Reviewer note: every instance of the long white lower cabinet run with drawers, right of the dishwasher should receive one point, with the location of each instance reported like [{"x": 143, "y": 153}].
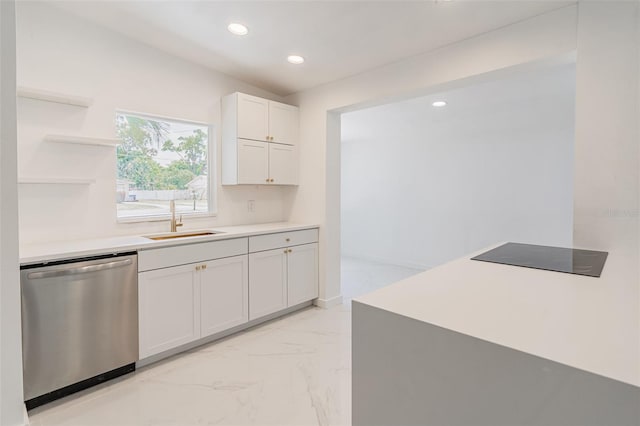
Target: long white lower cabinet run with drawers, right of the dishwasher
[{"x": 193, "y": 291}]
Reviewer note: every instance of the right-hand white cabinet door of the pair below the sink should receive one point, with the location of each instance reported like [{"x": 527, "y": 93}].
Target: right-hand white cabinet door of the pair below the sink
[{"x": 224, "y": 294}]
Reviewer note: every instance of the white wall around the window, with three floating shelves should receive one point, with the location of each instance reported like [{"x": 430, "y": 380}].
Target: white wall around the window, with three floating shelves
[{"x": 62, "y": 53}]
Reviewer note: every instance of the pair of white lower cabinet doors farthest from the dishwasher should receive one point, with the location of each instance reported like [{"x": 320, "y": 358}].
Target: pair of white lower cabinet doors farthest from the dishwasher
[{"x": 282, "y": 278}]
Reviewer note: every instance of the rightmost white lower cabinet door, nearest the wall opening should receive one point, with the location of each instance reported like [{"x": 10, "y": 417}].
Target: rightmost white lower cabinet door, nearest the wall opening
[{"x": 302, "y": 282}]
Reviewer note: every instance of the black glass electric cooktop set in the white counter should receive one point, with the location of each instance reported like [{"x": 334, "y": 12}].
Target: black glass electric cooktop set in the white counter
[{"x": 559, "y": 259}]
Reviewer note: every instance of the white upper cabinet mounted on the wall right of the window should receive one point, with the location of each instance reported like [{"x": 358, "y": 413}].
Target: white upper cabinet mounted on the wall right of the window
[{"x": 259, "y": 141}]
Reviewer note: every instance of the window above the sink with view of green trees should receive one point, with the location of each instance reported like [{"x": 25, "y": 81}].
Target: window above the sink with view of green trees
[{"x": 161, "y": 160}]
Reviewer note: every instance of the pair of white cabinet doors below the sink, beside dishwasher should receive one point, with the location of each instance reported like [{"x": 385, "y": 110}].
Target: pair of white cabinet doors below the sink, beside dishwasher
[{"x": 184, "y": 303}]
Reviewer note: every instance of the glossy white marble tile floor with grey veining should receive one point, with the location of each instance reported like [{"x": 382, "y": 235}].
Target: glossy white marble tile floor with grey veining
[{"x": 294, "y": 370}]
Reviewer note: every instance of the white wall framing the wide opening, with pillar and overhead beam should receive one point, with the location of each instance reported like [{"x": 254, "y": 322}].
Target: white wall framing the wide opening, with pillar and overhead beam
[{"x": 318, "y": 198}]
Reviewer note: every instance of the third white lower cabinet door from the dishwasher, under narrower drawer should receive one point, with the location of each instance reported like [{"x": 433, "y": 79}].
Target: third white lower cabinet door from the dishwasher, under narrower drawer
[{"x": 268, "y": 282}]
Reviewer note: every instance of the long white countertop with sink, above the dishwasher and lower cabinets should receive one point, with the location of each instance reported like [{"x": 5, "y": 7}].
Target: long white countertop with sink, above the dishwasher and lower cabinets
[{"x": 60, "y": 250}]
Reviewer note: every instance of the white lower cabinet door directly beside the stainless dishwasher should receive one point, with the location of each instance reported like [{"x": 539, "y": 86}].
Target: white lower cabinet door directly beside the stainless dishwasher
[{"x": 168, "y": 315}]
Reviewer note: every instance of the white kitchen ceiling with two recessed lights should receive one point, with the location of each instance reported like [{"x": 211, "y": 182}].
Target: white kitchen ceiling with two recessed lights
[{"x": 337, "y": 38}]
